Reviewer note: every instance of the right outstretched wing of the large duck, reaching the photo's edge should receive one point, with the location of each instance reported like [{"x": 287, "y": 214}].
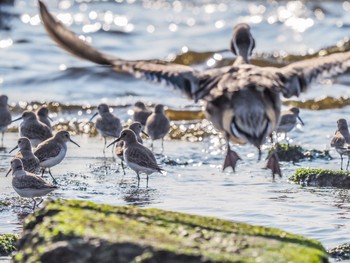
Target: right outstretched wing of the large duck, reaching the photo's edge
[{"x": 298, "y": 76}]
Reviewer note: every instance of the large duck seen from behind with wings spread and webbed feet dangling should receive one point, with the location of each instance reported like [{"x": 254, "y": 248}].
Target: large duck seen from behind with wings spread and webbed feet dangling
[{"x": 243, "y": 101}]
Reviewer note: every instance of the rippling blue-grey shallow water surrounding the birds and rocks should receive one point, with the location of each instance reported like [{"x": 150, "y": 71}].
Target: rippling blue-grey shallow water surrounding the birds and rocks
[{"x": 33, "y": 68}]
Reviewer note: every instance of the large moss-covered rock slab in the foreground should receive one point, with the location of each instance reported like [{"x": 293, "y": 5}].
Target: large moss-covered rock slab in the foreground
[{"x": 81, "y": 231}]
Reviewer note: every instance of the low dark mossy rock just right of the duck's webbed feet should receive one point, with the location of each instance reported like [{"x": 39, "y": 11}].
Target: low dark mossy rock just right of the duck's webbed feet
[{"x": 295, "y": 153}]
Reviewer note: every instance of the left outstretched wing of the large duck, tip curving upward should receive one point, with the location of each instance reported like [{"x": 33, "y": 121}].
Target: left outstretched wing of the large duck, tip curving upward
[{"x": 184, "y": 78}]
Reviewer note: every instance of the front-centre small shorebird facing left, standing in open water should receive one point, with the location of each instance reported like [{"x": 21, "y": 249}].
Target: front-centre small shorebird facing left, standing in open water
[{"x": 138, "y": 157}]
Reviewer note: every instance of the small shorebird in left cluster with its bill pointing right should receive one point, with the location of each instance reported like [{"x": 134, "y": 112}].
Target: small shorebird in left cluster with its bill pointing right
[{"x": 52, "y": 151}]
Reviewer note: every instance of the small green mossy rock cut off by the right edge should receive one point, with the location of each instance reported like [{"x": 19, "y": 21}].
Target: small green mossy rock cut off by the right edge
[{"x": 321, "y": 178}]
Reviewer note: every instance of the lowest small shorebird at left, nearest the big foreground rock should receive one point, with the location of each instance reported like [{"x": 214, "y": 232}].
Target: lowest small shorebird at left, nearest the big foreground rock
[{"x": 27, "y": 184}]
